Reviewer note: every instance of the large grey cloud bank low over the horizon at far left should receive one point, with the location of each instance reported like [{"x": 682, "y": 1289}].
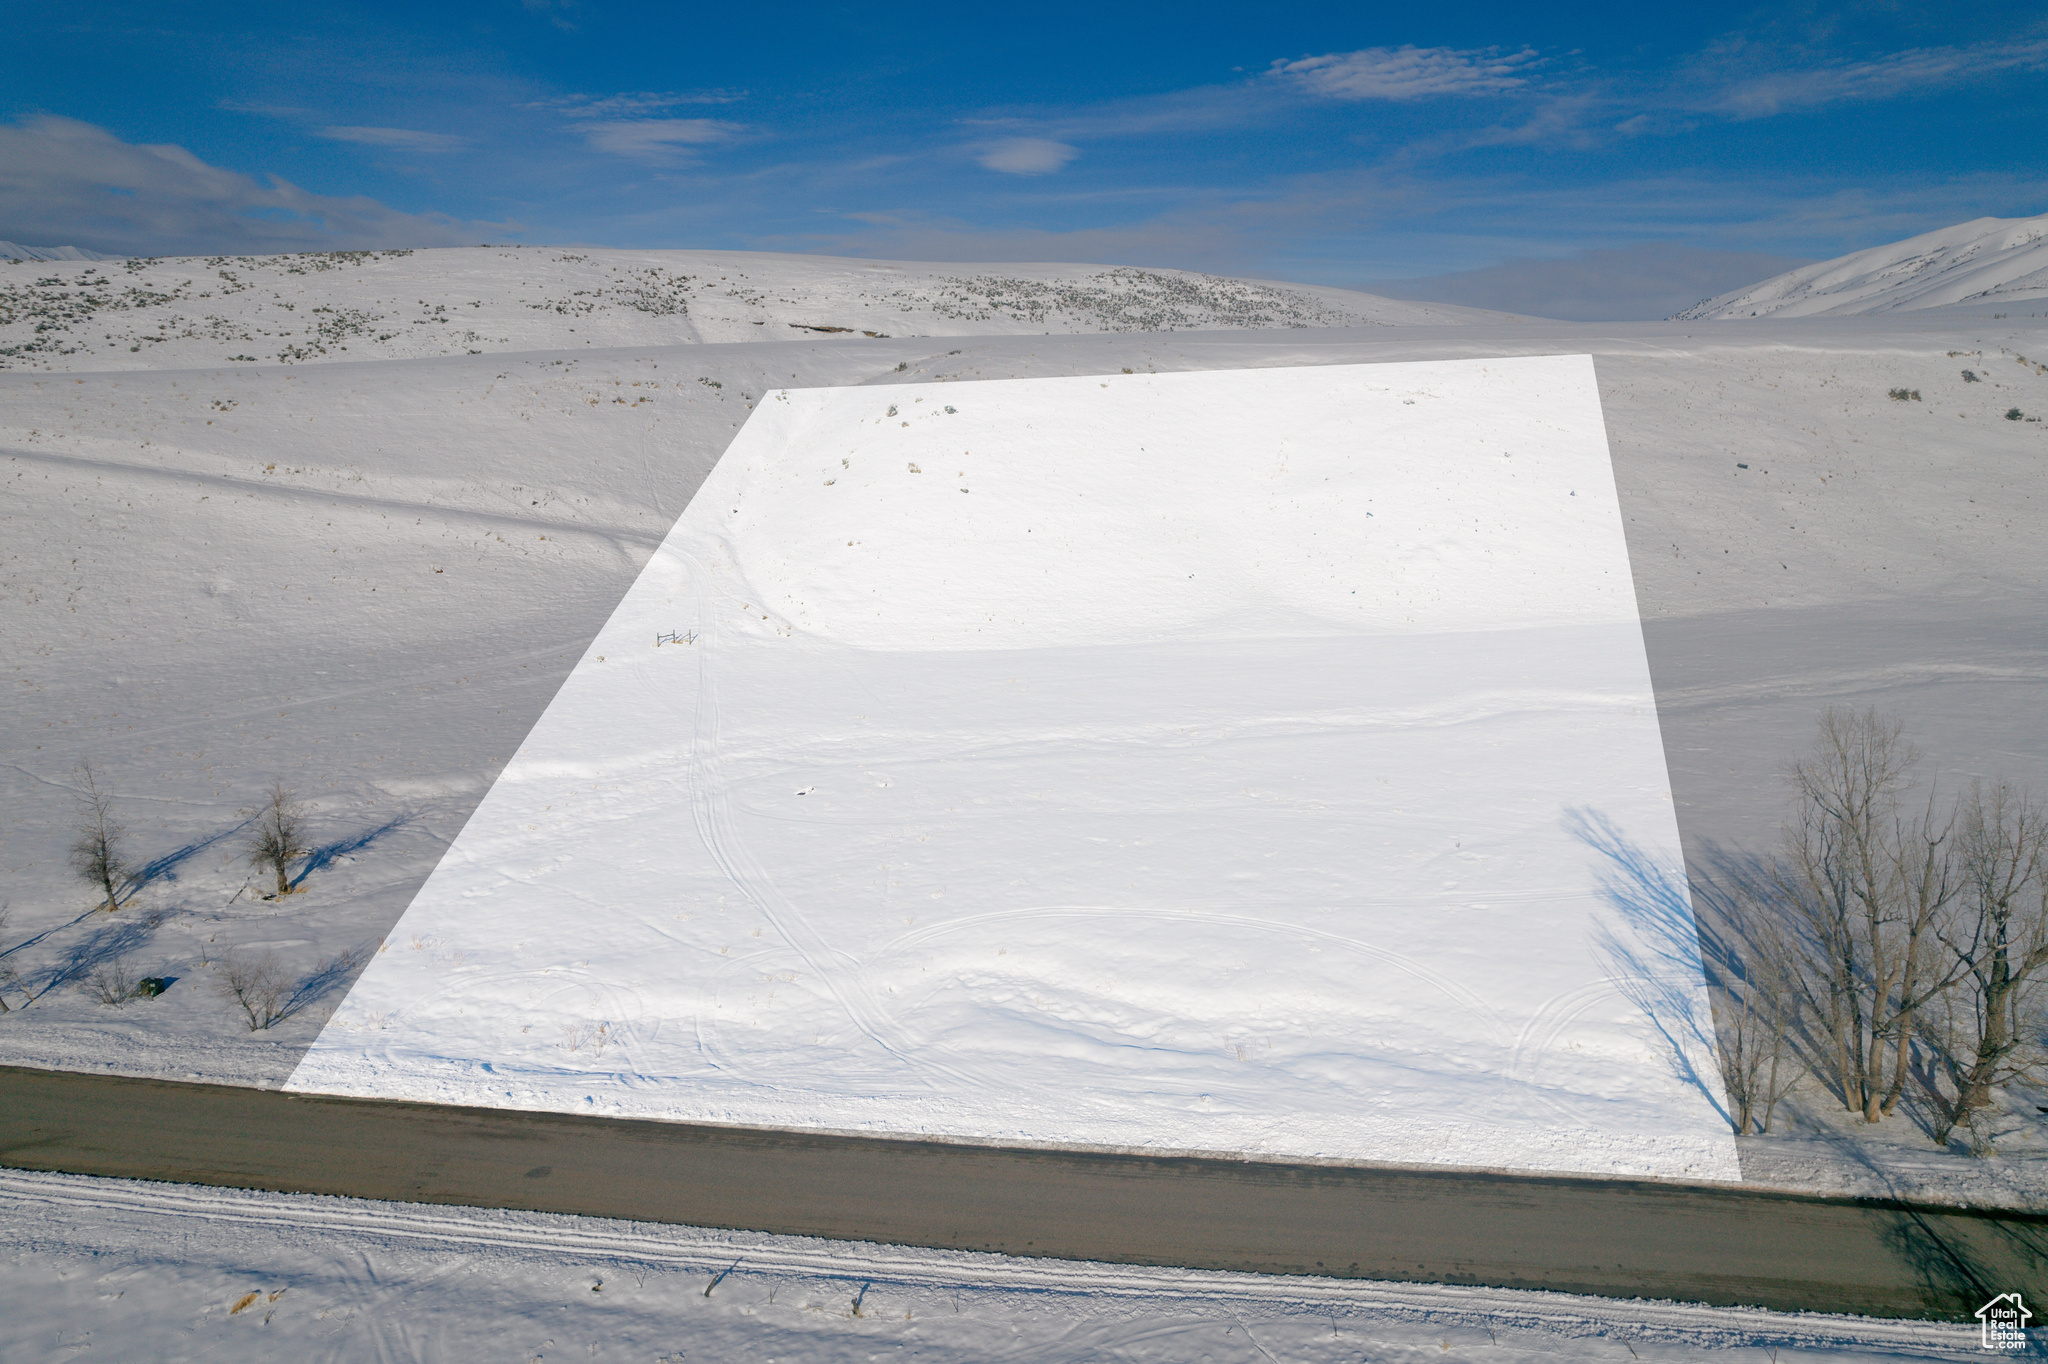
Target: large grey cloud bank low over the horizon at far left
[{"x": 75, "y": 183}]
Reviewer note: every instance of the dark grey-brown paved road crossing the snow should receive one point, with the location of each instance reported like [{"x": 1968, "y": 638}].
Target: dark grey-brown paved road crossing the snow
[{"x": 1572, "y": 1236}]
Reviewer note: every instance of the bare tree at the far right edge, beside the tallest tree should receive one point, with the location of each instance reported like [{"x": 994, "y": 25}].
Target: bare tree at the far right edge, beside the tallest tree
[{"x": 2000, "y": 937}]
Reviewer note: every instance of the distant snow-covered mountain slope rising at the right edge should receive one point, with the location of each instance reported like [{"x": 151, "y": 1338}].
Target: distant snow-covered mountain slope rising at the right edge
[{"x": 1981, "y": 263}]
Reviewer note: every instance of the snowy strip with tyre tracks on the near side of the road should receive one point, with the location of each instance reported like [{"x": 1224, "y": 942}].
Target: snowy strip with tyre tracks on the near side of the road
[{"x": 114, "y": 1269}]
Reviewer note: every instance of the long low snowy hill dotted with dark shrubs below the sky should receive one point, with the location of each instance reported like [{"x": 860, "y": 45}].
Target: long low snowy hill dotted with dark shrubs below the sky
[{"x": 378, "y": 306}]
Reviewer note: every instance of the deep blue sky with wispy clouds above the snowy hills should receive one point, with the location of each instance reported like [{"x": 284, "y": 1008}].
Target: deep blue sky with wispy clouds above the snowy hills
[{"x": 1641, "y": 151}]
